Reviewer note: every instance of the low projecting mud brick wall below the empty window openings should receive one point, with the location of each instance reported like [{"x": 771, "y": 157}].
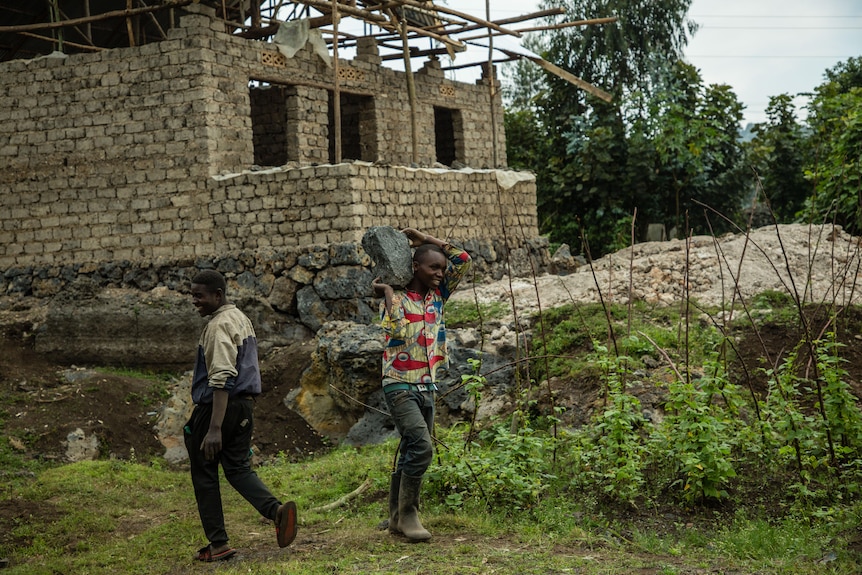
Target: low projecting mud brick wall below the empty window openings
[{"x": 288, "y": 207}]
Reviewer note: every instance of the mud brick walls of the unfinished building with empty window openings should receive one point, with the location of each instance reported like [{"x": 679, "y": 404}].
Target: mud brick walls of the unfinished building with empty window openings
[{"x": 145, "y": 153}]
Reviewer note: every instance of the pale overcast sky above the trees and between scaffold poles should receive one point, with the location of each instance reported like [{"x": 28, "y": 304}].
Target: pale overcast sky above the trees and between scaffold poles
[{"x": 761, "y": 48}]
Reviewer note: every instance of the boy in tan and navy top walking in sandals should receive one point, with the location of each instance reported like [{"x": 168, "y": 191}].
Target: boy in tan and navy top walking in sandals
[{"x": 225, "y": 382}]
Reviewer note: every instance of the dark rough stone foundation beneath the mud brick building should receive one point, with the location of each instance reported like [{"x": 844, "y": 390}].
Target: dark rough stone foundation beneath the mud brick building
[{"x": 288, "y": 293}]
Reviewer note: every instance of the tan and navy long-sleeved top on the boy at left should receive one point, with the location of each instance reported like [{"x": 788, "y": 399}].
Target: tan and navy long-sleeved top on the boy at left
[{"x": 227, "y": 356}]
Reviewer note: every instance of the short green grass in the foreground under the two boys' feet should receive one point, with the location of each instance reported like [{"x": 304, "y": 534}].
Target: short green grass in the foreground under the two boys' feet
[{"x": 109, "y": 516}]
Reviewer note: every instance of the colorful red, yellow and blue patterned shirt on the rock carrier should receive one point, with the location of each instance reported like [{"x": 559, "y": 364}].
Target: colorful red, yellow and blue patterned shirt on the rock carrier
[{"x": 415, "y": 331}]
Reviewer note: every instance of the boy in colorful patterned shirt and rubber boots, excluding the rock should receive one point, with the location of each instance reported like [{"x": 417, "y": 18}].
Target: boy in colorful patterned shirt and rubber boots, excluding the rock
[{"x": 415, "y": 349}]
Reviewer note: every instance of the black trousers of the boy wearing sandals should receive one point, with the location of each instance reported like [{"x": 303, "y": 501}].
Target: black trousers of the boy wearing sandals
[{"x": 235, "y": 459}]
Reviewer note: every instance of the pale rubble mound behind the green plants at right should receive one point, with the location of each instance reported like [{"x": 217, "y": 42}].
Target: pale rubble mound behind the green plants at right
[{"x": 820, "y": 263}]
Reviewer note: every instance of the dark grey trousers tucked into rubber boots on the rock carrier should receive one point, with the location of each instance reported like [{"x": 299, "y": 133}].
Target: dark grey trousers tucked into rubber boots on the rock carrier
[{"x": 413, "y": 413}]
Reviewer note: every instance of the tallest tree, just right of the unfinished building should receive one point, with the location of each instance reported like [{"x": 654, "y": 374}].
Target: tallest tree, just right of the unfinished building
[{"x": 584, "y": 170}]
